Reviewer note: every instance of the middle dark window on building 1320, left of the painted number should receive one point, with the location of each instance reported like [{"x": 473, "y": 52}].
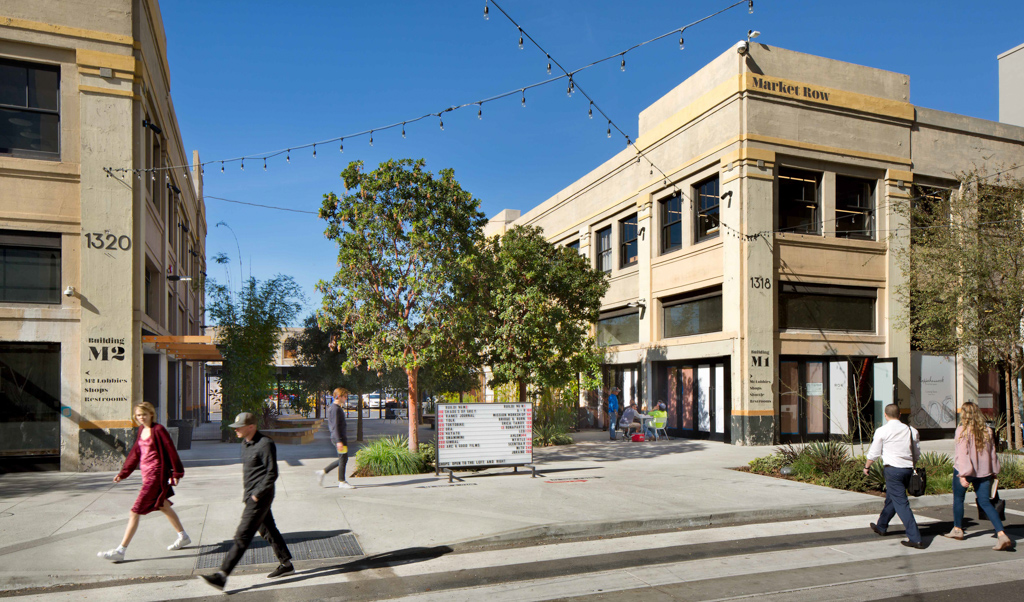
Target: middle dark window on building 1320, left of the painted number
[{"x": 30, "y": 268}]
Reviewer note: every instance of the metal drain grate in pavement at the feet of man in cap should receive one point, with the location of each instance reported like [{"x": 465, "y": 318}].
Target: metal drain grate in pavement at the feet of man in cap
[{"x": 303, "y": 547}]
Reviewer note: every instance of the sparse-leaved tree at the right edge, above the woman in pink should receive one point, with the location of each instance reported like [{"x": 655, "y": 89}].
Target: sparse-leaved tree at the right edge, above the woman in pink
[{"x": 965, "y": 275}]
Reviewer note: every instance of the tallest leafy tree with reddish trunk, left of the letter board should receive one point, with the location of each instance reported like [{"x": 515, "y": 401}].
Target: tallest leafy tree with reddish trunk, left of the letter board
[{"x": 403, "y": 294}]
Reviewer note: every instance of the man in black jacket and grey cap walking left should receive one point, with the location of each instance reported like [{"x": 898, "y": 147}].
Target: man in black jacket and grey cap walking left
[{"x": 260, "y": 465}]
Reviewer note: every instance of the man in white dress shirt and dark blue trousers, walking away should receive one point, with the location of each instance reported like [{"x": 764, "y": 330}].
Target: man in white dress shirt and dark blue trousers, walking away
[{"x": 900, "y": 447}]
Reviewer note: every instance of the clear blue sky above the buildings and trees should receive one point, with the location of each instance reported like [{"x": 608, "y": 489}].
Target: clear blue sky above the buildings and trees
[{"x": 254, "y": 76}]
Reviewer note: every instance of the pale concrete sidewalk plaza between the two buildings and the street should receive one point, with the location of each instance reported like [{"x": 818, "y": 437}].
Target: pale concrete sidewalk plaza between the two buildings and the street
[{"x": 53, "y": 525}]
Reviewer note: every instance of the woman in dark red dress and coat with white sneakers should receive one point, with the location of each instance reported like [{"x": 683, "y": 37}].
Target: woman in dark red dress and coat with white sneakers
[{"x": 155, "y": 455}]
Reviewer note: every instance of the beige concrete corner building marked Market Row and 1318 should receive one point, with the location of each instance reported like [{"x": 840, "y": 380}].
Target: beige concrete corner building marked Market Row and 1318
[{"x": 753, "y": 284}]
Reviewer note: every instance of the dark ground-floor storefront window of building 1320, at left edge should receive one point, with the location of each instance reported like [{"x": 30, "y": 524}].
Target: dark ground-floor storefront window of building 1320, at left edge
[{"x": 30, "y": 400}]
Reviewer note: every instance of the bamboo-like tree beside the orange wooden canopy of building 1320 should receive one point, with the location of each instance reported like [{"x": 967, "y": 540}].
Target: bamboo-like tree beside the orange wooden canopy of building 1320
[{"x": 249, "y": 327}]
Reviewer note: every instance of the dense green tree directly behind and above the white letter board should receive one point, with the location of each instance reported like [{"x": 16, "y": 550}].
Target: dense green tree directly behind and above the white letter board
[{"x": 541, "y": 305}]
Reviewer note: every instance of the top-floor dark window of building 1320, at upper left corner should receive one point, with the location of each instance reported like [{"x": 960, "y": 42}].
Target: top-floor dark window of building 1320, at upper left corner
[{"x": 30, "y": 110}]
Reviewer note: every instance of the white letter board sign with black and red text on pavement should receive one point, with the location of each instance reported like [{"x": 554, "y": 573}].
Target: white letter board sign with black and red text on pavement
[{"x": 485, "y": 435}]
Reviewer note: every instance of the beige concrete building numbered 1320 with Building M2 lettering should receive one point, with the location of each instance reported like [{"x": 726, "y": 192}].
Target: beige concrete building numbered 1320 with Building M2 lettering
[{"x": 93, "y": 262}]
